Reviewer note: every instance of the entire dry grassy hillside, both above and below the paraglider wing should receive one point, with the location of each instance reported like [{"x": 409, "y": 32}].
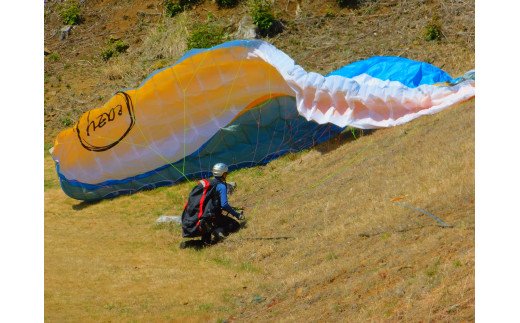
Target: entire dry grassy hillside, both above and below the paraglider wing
[{"x": 333, "y": 232}]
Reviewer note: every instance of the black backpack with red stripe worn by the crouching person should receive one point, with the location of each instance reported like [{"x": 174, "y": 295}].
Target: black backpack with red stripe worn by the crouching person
[{"x": 203, "y": 205}]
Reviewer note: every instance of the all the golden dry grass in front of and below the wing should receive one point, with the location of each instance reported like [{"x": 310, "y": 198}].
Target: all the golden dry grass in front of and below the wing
[{"x": 323, "y": 239}]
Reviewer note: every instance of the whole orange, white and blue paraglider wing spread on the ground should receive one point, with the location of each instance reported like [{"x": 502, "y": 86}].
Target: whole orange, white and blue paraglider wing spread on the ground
[{"x": 242, "y": 103}]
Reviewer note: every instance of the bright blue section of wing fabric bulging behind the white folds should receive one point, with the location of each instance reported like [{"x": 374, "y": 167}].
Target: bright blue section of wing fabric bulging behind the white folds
[{"x": 409, "y": 72}]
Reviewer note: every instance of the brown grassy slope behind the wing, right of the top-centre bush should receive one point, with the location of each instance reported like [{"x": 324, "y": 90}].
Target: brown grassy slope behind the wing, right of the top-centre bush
[{"x": 333, "y": 38}]
